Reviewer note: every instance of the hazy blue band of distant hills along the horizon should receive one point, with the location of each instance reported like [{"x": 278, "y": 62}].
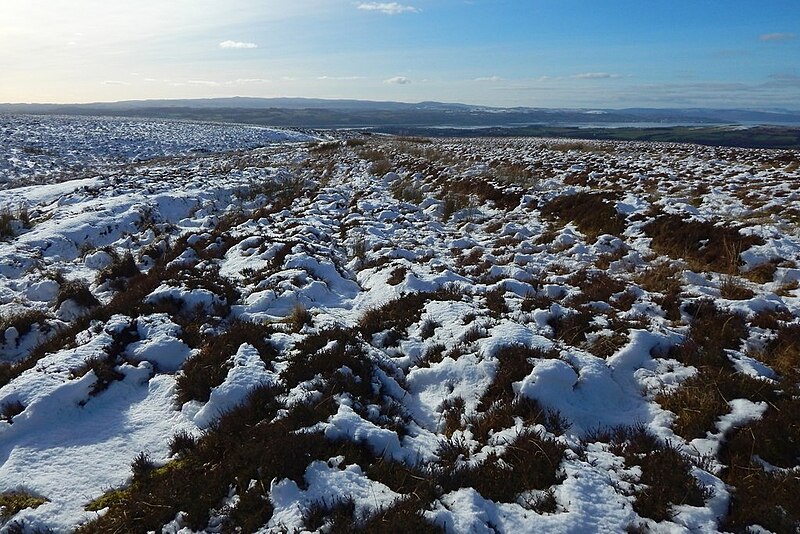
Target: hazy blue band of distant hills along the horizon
[{"x": 322, "y": 113}]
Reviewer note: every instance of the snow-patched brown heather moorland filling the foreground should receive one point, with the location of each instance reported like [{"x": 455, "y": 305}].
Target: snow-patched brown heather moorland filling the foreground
[{"x": 468, "y": 336}]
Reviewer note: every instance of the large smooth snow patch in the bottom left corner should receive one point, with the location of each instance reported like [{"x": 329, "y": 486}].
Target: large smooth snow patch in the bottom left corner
[{"x": 72, "y": 453}]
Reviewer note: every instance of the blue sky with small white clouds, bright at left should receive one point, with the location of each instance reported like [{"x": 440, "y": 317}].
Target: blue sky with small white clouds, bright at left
[{"x": 536, "y": 53}]
